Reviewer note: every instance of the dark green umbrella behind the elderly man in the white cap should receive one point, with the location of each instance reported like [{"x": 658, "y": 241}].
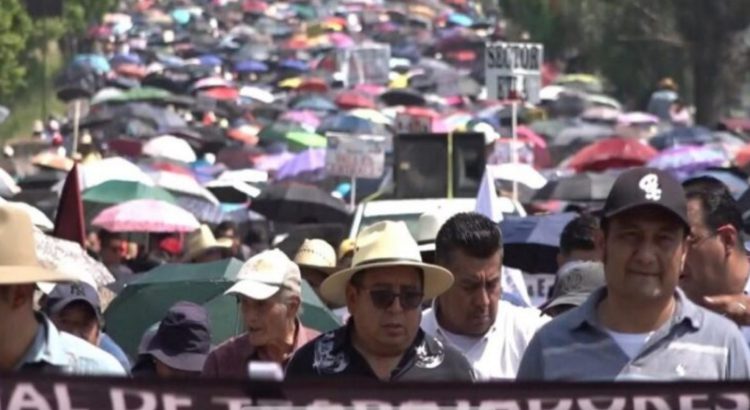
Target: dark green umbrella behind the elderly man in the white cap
[{"x": 146, "y": 300}]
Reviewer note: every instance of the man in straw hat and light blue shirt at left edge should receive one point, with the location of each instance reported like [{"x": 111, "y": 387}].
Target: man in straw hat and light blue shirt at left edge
[{"x": 29, "y": 341}]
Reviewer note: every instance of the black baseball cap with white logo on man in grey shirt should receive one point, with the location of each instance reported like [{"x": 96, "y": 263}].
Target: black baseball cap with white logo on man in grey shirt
[{"x": 645, "y": 186}]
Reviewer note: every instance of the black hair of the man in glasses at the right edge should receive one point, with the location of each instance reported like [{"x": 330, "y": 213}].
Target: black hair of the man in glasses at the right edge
[{"x": 718, "y": 205}]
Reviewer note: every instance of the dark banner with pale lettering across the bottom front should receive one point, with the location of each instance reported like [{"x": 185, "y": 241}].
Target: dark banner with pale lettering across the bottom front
[{"x": 51, "y": 392}]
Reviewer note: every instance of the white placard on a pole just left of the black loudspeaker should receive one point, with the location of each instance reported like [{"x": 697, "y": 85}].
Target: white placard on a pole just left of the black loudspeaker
[{"x": 357, "y": 156}]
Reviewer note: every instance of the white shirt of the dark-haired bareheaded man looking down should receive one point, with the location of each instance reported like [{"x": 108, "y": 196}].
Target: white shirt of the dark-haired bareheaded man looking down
[{"x": 497, "y": 354}]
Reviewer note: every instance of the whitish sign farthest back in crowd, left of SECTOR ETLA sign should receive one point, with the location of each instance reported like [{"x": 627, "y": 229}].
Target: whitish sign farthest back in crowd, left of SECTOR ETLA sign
[{"x": 368, "y": 63}]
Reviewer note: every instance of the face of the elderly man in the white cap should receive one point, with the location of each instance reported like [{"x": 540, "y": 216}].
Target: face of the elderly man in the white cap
[{"x": 266, "y": 321}]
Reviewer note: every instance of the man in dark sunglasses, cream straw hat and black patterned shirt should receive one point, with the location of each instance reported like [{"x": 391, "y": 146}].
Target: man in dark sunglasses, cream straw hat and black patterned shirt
[{"x": 383, "y": 290}]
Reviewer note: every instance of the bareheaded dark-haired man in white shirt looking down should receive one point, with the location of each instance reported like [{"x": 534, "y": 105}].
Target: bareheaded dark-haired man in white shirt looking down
[{"x": 491, "y": 333}]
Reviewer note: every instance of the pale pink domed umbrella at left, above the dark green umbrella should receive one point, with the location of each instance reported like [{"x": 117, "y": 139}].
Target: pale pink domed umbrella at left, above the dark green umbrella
[{"x": 146, "y": 215}]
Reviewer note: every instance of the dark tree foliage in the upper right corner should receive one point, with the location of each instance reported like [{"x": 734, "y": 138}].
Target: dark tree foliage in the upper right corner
[{"x": 701, "y": 43}]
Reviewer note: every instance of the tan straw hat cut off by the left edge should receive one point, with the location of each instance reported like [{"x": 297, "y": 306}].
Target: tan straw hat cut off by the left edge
[{"x": 18, "y": 263}]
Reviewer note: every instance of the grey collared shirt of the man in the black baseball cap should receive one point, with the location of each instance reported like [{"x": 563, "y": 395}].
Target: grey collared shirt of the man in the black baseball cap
[{"x": 694, "y": 344}]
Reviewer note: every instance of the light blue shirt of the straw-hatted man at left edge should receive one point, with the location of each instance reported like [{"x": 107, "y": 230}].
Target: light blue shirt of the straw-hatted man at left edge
[{"x": 55, "y": 351}]
